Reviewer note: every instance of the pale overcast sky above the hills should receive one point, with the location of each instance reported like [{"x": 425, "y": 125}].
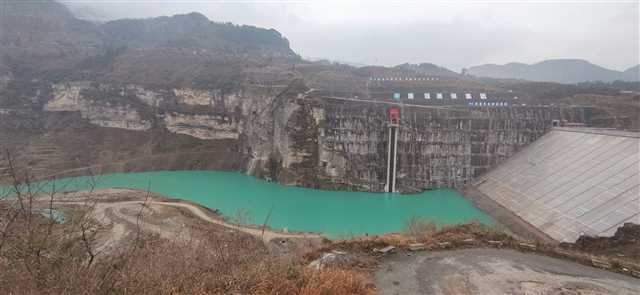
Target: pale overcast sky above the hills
[{"x": 454, "y": 34}]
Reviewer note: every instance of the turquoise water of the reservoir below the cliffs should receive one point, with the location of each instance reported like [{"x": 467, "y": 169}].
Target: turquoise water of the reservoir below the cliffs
[{"x": 335, "y": 214}]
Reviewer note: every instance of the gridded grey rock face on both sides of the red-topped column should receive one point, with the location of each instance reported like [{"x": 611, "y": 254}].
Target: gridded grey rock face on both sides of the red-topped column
[{"x": 435, "y": 148}]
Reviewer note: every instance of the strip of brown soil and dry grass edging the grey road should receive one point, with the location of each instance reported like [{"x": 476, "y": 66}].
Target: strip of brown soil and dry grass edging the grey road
[{"x": 469, "y": 236}]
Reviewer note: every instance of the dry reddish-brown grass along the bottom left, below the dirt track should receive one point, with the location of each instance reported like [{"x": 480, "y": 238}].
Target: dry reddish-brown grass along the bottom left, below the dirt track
[{"x": 211, "y": 263}]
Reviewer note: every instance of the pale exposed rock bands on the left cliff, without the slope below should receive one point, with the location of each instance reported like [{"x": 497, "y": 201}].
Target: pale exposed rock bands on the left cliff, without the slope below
[{"x": 199, "y": 113}]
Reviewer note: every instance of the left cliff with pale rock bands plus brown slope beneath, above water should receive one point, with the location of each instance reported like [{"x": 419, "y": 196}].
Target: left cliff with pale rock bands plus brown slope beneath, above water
[{"x": 122, "y": 128}]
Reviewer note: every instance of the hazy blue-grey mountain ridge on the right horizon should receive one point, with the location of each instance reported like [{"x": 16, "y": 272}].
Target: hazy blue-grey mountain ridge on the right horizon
[{"x": 556, "y": 70}]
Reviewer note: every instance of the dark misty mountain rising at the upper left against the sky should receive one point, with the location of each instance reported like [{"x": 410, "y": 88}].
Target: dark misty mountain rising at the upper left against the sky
[{"x": 44, "y": 40}]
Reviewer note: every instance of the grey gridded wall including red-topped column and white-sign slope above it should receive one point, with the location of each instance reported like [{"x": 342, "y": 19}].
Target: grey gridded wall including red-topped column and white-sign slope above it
[{"x": 446, "y": 136}]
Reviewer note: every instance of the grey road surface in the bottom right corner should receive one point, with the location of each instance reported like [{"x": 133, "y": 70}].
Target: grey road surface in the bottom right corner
[{"x": 492, "y": 271}]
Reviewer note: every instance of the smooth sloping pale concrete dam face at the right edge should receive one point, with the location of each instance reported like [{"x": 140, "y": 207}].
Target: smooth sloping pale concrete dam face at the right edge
[{"x": 571, "y": 182}]
